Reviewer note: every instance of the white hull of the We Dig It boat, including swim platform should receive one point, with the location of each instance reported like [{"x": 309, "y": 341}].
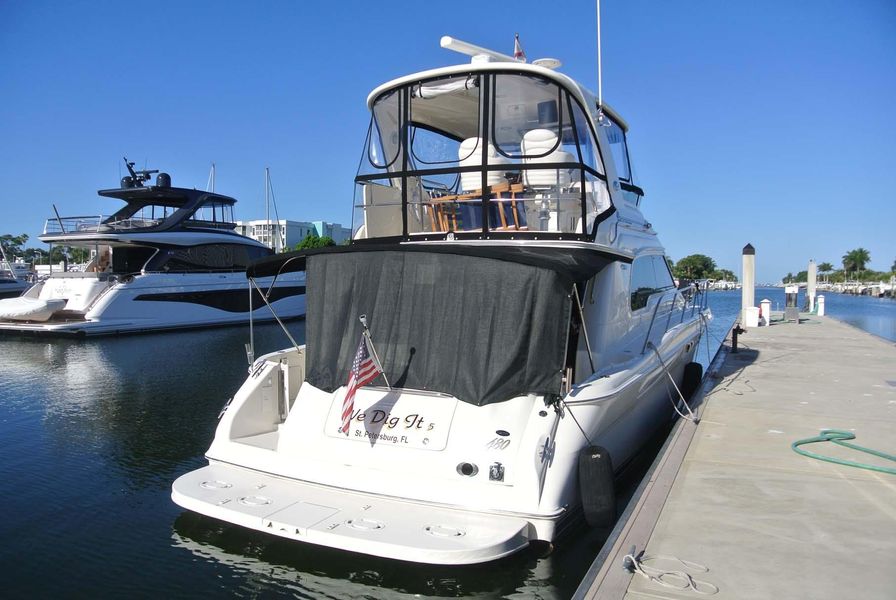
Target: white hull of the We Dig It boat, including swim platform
[{"x": 402, "y": 484}]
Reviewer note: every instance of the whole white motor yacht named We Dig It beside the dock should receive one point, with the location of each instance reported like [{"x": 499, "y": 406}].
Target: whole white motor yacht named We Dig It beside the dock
[{"x": 530, "y": 336}]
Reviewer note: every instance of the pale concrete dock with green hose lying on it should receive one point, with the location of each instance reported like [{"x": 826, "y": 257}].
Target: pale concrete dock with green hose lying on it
[{"x": 731, "y": 495}]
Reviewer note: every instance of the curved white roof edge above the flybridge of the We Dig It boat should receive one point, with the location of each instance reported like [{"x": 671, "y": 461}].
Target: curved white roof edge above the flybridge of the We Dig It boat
[{"x": 583, "y": 94}]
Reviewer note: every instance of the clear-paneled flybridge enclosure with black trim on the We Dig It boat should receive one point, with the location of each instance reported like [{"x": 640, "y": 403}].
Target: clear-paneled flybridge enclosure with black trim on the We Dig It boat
[{"x": 493, "y": 154}]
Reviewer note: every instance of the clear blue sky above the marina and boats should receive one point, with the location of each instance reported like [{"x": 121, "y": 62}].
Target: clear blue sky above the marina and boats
[{"x": 766, "y": 122}]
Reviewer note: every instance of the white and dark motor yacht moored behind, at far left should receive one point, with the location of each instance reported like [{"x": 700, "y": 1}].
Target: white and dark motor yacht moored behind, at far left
[{"x": 168, "y": 259}]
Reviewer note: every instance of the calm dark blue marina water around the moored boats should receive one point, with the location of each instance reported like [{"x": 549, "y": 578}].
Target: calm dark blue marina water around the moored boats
[{"x": 93, "y": 432}]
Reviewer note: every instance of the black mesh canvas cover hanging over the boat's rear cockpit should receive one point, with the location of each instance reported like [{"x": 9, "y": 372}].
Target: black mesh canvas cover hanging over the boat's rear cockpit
[{"x": 480, "y": 329}]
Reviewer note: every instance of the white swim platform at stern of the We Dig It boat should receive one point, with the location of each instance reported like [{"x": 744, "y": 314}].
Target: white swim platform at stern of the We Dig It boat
[{"x": 351, "y": 521}]
